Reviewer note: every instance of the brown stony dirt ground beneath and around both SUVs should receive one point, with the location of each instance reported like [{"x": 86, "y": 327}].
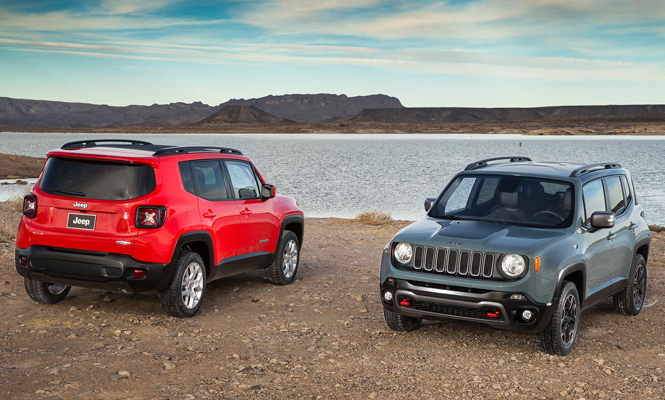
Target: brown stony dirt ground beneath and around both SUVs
[{"x": 322, "y": 337}]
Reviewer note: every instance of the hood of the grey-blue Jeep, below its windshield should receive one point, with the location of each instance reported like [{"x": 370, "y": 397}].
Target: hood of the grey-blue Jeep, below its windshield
[{"x": 476, "y": 235}]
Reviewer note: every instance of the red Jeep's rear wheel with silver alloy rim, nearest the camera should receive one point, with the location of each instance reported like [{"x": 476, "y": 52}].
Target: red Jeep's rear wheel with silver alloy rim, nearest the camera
[{"x": 183, "y": 296}]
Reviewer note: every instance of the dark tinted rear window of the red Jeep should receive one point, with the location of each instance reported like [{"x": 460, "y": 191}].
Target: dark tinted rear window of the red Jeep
[{"x": 97, "y": 179}]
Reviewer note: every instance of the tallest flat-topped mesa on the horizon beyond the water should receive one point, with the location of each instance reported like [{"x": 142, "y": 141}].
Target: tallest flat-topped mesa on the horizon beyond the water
[{"x": 317, "y": 107}]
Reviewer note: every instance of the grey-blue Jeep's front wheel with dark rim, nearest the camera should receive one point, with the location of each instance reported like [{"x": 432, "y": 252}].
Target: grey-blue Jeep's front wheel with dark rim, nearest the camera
[{"x": 561, "y": 332}]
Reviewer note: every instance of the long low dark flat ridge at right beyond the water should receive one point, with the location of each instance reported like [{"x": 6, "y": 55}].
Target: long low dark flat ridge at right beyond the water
[{"x": 636, "y": 113}]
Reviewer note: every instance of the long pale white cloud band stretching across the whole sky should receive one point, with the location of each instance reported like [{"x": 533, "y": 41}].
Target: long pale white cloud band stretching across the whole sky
[{"x": 449, "y": 62}]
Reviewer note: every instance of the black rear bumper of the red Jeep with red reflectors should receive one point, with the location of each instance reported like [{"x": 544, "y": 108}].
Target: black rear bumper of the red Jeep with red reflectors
[{"x": 90, "y": 269}]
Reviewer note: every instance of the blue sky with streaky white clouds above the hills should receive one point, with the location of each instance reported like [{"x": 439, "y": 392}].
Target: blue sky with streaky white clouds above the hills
[{"x": 477, "y": 53}]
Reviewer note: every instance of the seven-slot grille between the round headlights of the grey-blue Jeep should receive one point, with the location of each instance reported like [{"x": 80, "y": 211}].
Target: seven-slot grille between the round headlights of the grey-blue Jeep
[{"x": 454, "y": 262}]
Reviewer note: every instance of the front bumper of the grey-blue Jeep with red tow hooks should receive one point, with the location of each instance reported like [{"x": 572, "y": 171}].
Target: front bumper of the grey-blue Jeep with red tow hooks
[{"x": 440, "y": 302}]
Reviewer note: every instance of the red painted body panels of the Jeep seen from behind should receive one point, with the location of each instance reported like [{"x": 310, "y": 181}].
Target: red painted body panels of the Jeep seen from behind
[{"x": 236, "y": 226}]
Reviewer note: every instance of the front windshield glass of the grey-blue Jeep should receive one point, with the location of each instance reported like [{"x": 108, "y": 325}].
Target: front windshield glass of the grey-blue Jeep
[{"x": 519, "y": 200}]
